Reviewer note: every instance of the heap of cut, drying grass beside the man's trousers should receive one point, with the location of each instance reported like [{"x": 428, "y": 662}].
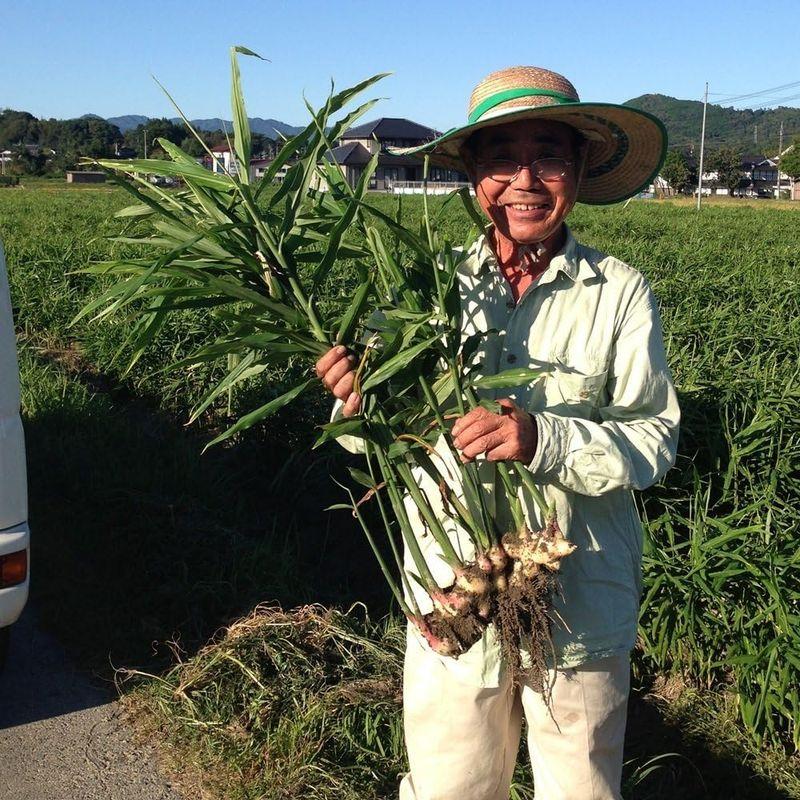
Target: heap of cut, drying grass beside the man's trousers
[{"x": 288, "y": 705}]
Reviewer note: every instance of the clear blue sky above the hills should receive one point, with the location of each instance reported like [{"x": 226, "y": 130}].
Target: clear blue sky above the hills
[{"x": 63, "y": 59}]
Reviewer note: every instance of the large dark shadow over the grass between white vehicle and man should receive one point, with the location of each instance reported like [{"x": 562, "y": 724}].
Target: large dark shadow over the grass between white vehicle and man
[{"x": 138, "y": 538}]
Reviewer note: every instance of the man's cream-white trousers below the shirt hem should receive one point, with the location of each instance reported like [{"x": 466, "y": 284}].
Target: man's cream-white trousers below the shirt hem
[{"x": 463, "y": 740}]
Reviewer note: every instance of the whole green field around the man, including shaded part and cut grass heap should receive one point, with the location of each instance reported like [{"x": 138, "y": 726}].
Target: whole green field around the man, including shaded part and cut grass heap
[{"x": 137, "y": 538}]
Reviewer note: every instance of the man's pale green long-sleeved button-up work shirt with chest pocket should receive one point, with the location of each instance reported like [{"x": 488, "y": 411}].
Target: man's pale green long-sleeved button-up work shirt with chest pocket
[{"x": 607, "y": 418}]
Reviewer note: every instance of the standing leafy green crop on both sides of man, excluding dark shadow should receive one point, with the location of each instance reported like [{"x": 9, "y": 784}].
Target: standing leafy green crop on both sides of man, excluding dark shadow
[{"x": 721, "y": 592}]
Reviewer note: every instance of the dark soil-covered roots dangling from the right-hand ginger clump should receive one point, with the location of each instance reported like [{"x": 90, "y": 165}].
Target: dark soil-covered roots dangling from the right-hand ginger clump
[{"x": 522, "y": 620}]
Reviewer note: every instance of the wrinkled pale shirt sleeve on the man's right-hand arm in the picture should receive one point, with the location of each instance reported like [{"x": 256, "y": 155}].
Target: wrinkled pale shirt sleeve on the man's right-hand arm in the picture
[{"x": 634, "y": 442}]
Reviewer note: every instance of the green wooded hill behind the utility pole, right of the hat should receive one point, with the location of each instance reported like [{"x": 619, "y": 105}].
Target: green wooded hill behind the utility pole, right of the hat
[{"x": 725, "y": 127}]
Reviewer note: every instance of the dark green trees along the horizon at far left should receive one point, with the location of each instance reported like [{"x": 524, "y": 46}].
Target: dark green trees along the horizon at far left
[{"x": 52, "y": 146}]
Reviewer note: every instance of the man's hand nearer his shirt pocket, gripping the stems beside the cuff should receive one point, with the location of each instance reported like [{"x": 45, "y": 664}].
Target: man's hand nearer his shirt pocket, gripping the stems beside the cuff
[{"x": 509, "y": 436}]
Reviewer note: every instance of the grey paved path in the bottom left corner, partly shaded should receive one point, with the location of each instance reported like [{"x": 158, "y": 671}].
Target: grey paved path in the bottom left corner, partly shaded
[{"x": 61, "y": 735}]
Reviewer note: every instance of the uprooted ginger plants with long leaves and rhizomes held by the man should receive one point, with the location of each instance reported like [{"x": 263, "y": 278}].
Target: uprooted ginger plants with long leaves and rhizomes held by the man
[{"x": 257, "y": 263}]
